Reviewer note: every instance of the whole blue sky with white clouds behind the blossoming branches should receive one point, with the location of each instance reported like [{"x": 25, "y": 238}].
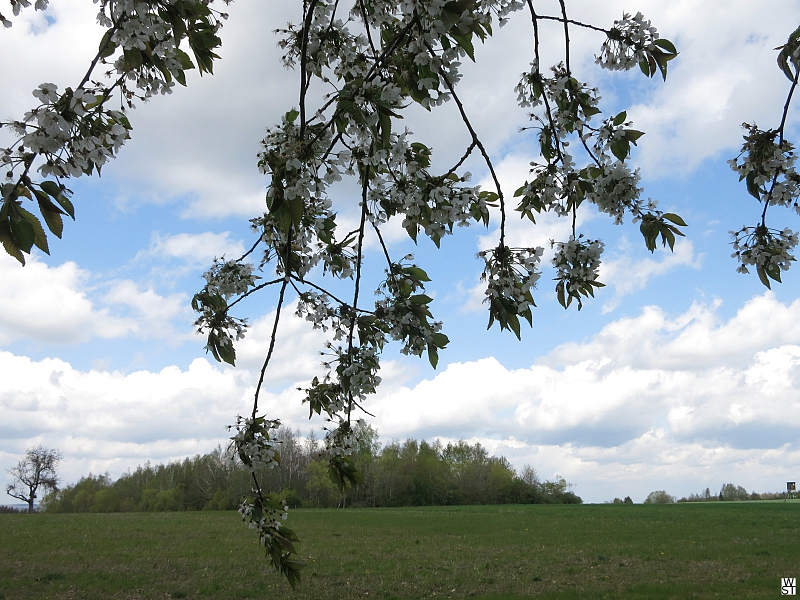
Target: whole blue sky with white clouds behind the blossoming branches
[{"x": 681, "y": 374}]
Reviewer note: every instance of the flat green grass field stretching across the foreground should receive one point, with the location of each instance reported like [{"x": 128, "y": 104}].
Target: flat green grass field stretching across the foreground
[{"x": 499, "y": 552}]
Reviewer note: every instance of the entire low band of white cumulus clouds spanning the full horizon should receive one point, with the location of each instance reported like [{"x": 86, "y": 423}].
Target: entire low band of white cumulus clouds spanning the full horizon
[{"x": 649, "y": 400}]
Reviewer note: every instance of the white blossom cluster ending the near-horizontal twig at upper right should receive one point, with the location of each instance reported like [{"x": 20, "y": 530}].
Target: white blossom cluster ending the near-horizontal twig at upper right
[{"x": 627, "y": 43}]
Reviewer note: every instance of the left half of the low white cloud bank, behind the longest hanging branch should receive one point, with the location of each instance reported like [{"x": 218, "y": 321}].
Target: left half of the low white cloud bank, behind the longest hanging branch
[{"x": 105, "y": 420}]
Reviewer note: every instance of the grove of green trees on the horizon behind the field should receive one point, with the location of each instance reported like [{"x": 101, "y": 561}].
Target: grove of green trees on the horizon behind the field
[{"x": 411, "y": 473}]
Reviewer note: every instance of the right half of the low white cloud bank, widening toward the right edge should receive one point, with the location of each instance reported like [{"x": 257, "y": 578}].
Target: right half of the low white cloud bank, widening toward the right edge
[{"x": 688, "y": 396}]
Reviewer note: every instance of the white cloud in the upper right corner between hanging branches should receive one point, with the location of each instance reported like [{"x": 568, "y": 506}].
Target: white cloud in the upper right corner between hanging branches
[{"x": 718, "y": 82}]
